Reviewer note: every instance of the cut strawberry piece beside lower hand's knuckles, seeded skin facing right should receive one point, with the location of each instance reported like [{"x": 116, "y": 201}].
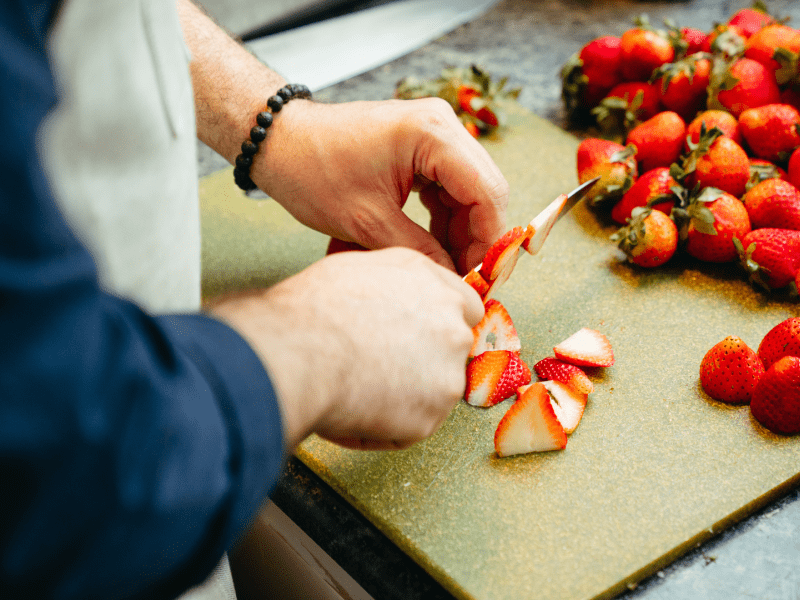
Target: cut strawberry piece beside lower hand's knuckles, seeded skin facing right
[{"x": 494, "y": 376}]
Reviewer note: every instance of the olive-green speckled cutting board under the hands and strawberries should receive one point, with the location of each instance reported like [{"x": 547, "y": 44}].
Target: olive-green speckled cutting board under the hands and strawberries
[{"x": 654, "y": 468}]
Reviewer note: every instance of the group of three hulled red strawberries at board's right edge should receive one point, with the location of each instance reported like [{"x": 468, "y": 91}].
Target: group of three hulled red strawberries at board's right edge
[{"x": 767, "y": 379}]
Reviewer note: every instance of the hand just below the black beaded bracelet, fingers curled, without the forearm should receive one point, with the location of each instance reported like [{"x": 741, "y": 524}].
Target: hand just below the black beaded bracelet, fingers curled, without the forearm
[{"x": 346, "y": 170}]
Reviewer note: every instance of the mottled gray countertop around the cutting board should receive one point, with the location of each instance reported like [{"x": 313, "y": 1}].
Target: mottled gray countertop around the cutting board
[{"x": 529, "y": 41}]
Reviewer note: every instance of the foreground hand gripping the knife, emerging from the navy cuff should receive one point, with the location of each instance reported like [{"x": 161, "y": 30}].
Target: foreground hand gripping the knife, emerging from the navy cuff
[{"x": 367, "y": 349}]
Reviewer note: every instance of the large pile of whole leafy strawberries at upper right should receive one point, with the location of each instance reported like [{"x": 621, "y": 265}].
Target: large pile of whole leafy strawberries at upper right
[{"x": 698, "y": 143}]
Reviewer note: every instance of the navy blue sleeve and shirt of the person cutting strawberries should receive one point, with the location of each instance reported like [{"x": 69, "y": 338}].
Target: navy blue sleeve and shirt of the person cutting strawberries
[{"x": 133, "y": 449}]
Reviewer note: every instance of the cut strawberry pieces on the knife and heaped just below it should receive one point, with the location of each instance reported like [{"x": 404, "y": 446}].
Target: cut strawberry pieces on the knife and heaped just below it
[{"x": 546, "y": 411}]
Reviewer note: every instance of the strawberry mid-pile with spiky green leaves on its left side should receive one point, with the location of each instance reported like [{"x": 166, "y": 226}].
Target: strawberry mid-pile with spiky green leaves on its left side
[{"x": 715, "y": 161}]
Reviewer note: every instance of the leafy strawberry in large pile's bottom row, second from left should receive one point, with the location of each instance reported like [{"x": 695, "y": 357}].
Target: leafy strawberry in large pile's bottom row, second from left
[{"x": 709, "y": 222}]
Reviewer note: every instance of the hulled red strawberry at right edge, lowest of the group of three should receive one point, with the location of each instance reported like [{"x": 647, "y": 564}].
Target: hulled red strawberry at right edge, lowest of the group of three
[{"x": 776, "y": 399}]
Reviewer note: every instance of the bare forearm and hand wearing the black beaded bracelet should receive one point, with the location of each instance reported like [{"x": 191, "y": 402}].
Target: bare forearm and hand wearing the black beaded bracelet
[{"x": 347, "y": 169}]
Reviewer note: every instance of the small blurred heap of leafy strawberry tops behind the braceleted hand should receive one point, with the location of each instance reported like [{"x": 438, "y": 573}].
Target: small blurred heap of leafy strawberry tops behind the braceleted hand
[{"x": 477, "y": 100}]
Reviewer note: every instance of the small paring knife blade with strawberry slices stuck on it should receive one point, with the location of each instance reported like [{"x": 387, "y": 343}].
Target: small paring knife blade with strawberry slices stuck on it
[{"x": 532, "y": 241}]
